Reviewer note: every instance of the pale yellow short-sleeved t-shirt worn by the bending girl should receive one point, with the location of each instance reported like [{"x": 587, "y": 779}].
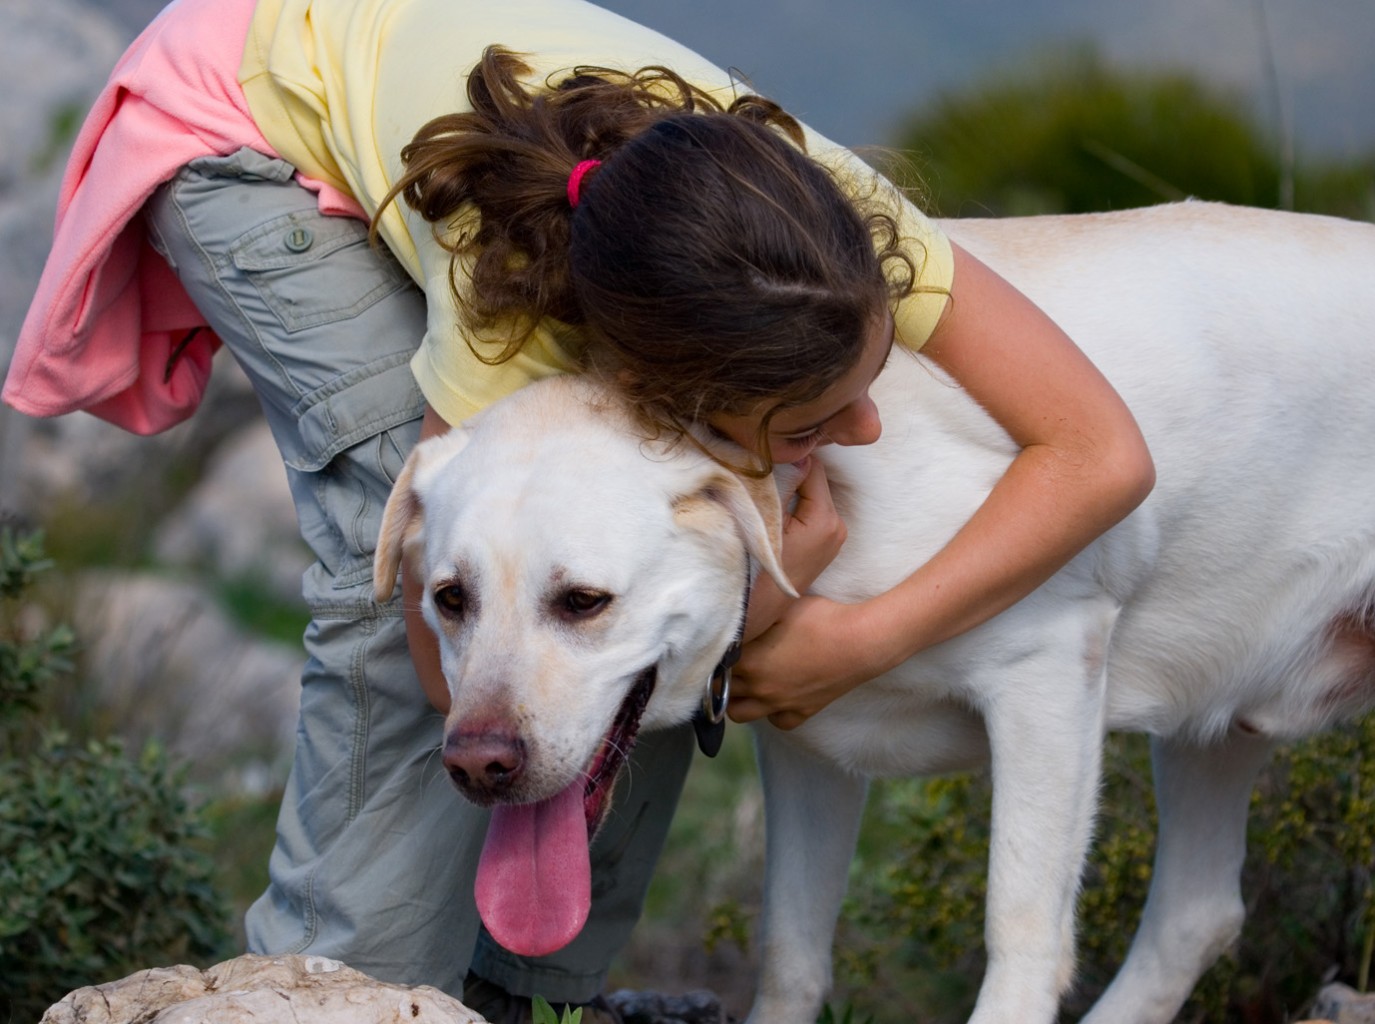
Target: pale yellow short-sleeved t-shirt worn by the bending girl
[{"x": 339, "y": 87}]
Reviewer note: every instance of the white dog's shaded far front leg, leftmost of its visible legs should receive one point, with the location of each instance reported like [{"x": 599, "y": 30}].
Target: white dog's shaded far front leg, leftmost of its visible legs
[{"x": 812, "y": 817}]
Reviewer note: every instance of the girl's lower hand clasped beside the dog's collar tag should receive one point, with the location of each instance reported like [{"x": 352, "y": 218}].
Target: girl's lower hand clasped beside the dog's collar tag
[{"x": 819, "y": 651}]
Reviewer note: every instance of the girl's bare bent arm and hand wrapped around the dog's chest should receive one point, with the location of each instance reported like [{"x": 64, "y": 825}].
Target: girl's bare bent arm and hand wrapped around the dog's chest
[{"x": 1083, "y": 468}]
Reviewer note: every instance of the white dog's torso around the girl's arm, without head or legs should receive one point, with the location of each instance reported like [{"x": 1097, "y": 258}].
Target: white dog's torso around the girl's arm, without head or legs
[{"x": 1252, "y": 567}]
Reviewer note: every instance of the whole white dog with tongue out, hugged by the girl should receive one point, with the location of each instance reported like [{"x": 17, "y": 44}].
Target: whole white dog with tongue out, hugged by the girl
[{"x": 585, "y": 583}]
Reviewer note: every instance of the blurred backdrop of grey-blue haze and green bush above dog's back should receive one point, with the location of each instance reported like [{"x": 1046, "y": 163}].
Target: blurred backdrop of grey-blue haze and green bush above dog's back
[{"x": 1244, "y": 101}]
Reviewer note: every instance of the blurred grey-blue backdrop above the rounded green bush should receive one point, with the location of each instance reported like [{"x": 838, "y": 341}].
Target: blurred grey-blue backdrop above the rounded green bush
[{"x": 855, "y": 68}]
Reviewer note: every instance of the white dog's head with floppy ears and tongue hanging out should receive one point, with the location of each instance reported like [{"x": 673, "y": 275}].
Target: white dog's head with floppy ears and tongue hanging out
[{"x": 584, "y": 583}]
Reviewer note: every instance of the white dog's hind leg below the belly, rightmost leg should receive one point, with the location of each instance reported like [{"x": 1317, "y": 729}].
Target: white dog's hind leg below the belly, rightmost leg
[{"x": 1196, "y": 909}]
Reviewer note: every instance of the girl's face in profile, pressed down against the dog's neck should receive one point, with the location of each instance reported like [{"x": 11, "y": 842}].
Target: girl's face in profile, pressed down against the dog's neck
[{"x": 842, "y": 414}]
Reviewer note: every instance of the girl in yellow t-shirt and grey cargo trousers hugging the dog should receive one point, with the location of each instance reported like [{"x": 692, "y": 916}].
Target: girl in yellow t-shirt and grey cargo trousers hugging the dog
[{"x": 717, "y": 262}]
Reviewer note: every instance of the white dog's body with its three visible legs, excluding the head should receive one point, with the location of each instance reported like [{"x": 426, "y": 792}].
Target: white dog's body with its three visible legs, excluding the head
[{"x": 1233, "y": 610}]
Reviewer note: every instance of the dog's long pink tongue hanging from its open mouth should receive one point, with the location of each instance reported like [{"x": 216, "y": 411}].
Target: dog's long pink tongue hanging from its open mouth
[{"x": 534, "y": 879}]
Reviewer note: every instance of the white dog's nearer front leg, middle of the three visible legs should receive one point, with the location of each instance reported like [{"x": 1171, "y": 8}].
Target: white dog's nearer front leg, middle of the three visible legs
[{"x": 1046, "y": 736}]
